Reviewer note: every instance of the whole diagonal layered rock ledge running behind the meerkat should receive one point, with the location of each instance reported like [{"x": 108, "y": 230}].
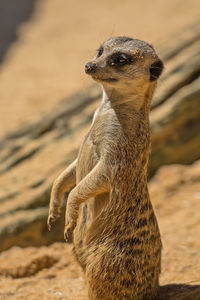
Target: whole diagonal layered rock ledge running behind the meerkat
[{"x": 33, "y": 155}]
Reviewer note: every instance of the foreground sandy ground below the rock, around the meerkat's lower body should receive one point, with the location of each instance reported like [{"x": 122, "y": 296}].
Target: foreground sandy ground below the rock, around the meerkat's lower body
[{"x": 52, "y": 273}]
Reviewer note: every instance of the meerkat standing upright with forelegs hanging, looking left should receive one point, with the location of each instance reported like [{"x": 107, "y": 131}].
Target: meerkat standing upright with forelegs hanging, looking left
[{"x": 109, "y": 213}]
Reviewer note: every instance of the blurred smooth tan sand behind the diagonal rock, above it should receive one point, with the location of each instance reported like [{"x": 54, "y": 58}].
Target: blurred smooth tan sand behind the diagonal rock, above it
[{"x": 47, "y": 61}]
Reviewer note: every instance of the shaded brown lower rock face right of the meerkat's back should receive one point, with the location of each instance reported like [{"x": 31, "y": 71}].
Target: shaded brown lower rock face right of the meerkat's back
[{"x": 175, "y": 128}]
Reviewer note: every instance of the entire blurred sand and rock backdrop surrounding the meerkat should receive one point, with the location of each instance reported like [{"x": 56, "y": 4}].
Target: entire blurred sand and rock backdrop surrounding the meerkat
[{"x": 47, "y": 103}]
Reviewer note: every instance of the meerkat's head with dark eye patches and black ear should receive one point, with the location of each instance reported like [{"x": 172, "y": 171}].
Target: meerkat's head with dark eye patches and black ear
[{"x": 123, "y": 62}]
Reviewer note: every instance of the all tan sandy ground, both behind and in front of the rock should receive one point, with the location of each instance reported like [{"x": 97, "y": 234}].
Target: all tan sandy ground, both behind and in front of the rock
[{"x": 46, "y": 64}]
